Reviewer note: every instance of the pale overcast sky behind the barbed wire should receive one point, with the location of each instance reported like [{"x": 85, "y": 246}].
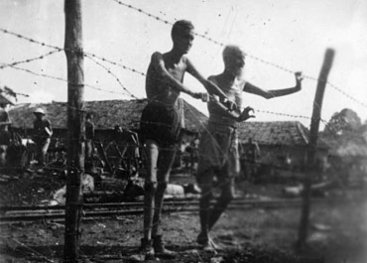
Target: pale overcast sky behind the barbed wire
[{"x": 293, "y": 34}]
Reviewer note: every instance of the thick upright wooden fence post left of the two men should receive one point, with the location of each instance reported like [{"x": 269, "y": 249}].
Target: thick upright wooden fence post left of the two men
[{"x": 75, "y": 123}]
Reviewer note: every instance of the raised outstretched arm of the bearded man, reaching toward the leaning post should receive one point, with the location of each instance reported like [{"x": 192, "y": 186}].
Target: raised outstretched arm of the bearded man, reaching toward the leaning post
[{"x": 268, "y": 94}]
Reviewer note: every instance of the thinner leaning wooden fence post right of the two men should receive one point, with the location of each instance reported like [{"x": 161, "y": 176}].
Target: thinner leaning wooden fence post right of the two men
[{"x": 312, "y": 146}]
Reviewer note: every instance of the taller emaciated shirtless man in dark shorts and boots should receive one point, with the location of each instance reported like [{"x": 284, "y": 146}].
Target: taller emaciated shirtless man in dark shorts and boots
[{"x": 160, "y": 127}]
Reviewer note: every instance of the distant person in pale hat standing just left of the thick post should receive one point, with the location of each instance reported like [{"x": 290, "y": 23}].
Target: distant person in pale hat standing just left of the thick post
[{"x": 42, "y": 136}]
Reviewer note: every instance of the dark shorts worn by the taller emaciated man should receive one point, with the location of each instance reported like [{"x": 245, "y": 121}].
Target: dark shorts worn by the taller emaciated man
[{"x": 160, "y": 123}]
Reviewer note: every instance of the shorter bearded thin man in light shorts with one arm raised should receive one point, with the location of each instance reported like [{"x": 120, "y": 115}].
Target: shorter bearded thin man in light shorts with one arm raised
[{"x": 218, "y": 149}]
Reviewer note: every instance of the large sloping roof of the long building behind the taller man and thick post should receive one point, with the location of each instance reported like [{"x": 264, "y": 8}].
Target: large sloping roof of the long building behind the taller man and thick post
[{"x": 107, "y": 114}]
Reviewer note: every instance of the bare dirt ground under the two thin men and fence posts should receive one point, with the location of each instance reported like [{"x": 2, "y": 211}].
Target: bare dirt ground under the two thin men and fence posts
[{"x": 338, "y": 233}]
